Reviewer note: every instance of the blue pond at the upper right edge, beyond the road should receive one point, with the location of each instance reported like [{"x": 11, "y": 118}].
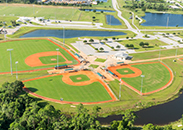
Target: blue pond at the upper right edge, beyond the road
[{"x": 160, "y": 19}]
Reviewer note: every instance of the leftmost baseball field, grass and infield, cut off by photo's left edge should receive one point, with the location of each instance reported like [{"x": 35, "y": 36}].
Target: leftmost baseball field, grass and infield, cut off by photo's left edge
[{"x": 24, "y": 49}]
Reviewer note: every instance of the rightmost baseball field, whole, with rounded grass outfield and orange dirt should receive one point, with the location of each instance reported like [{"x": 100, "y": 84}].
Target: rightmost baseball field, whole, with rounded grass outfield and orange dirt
[{"x": 144, "y": 78}]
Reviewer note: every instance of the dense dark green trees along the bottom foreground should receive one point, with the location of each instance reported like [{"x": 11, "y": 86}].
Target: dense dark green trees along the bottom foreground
[{"x": 19, "y": 111}]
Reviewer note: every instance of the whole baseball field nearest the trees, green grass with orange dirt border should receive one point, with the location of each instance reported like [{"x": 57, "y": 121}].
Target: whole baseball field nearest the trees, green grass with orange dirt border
[{"x": 72, "y": 87}]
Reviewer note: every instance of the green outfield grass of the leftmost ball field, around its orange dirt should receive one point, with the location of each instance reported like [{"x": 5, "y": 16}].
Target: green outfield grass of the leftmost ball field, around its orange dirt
[{"x": 23, "y": 49}]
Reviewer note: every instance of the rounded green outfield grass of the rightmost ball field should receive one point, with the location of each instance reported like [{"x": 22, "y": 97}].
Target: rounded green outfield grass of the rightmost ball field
[{"x": 156, "y": 76}]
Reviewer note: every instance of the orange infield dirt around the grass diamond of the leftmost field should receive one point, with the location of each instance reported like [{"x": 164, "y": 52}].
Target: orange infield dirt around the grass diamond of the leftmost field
[{"x": 34, "y": 61}]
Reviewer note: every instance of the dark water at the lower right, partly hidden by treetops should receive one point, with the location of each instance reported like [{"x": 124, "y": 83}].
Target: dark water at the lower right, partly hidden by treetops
[{"x": 159, "y": 115}]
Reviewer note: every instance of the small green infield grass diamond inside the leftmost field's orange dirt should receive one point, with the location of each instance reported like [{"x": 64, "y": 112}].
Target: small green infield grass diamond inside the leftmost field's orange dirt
[{"x": 47, "y": 59}]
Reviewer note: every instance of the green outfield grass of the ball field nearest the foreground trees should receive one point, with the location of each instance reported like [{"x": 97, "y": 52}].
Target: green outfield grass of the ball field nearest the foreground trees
[{"x": 54, "y": 87}]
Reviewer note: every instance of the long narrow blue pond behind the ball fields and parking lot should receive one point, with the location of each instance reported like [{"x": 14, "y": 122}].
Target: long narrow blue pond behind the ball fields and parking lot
[{"x": 71, "y": 33}]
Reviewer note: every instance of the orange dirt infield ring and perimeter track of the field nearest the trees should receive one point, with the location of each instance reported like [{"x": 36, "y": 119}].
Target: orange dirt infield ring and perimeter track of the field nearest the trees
[{"x": 94, "y": 78}]
